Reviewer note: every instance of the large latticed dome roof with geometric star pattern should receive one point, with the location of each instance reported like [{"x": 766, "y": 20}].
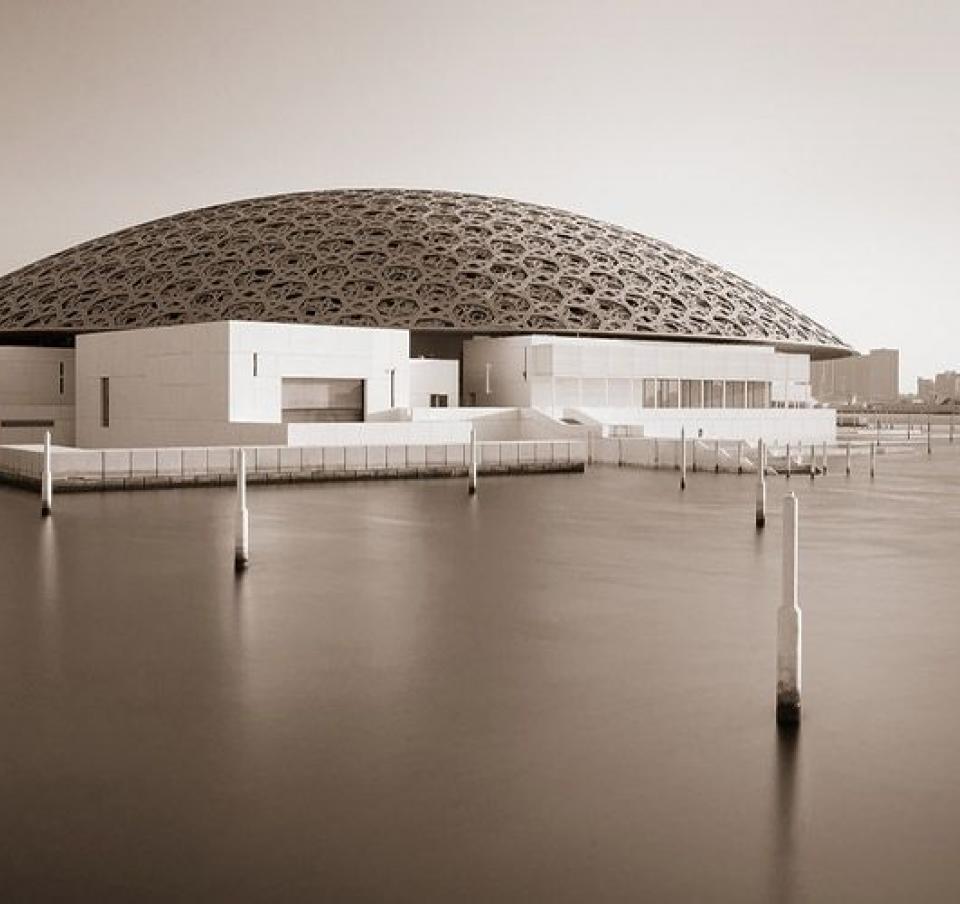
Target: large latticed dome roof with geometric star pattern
[{"x": 421, "y": 260}]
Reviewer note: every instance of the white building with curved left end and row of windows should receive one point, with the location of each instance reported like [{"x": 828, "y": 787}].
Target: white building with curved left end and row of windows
[{"x": 712, "y": 390}]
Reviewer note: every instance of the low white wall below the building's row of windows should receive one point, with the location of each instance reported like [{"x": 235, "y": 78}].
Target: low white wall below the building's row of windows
[{"x": 775, "y": 425}]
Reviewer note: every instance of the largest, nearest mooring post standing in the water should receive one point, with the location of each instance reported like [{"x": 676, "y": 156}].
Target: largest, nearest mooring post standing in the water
[{"x": 788, "y": 620}]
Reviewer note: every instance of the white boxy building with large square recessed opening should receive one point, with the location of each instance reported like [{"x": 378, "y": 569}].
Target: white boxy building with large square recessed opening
[{"x": 236, "y": 382}]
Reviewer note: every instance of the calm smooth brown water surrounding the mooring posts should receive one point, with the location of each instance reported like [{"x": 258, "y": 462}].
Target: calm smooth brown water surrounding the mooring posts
[{"x": 559, "y": 691}]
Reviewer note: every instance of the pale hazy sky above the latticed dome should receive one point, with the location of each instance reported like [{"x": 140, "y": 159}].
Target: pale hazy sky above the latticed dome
[{"x": 813, "y": 148}]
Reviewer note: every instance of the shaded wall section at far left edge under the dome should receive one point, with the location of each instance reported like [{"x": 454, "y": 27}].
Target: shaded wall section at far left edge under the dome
[{"x": 30, "y": 392}]
